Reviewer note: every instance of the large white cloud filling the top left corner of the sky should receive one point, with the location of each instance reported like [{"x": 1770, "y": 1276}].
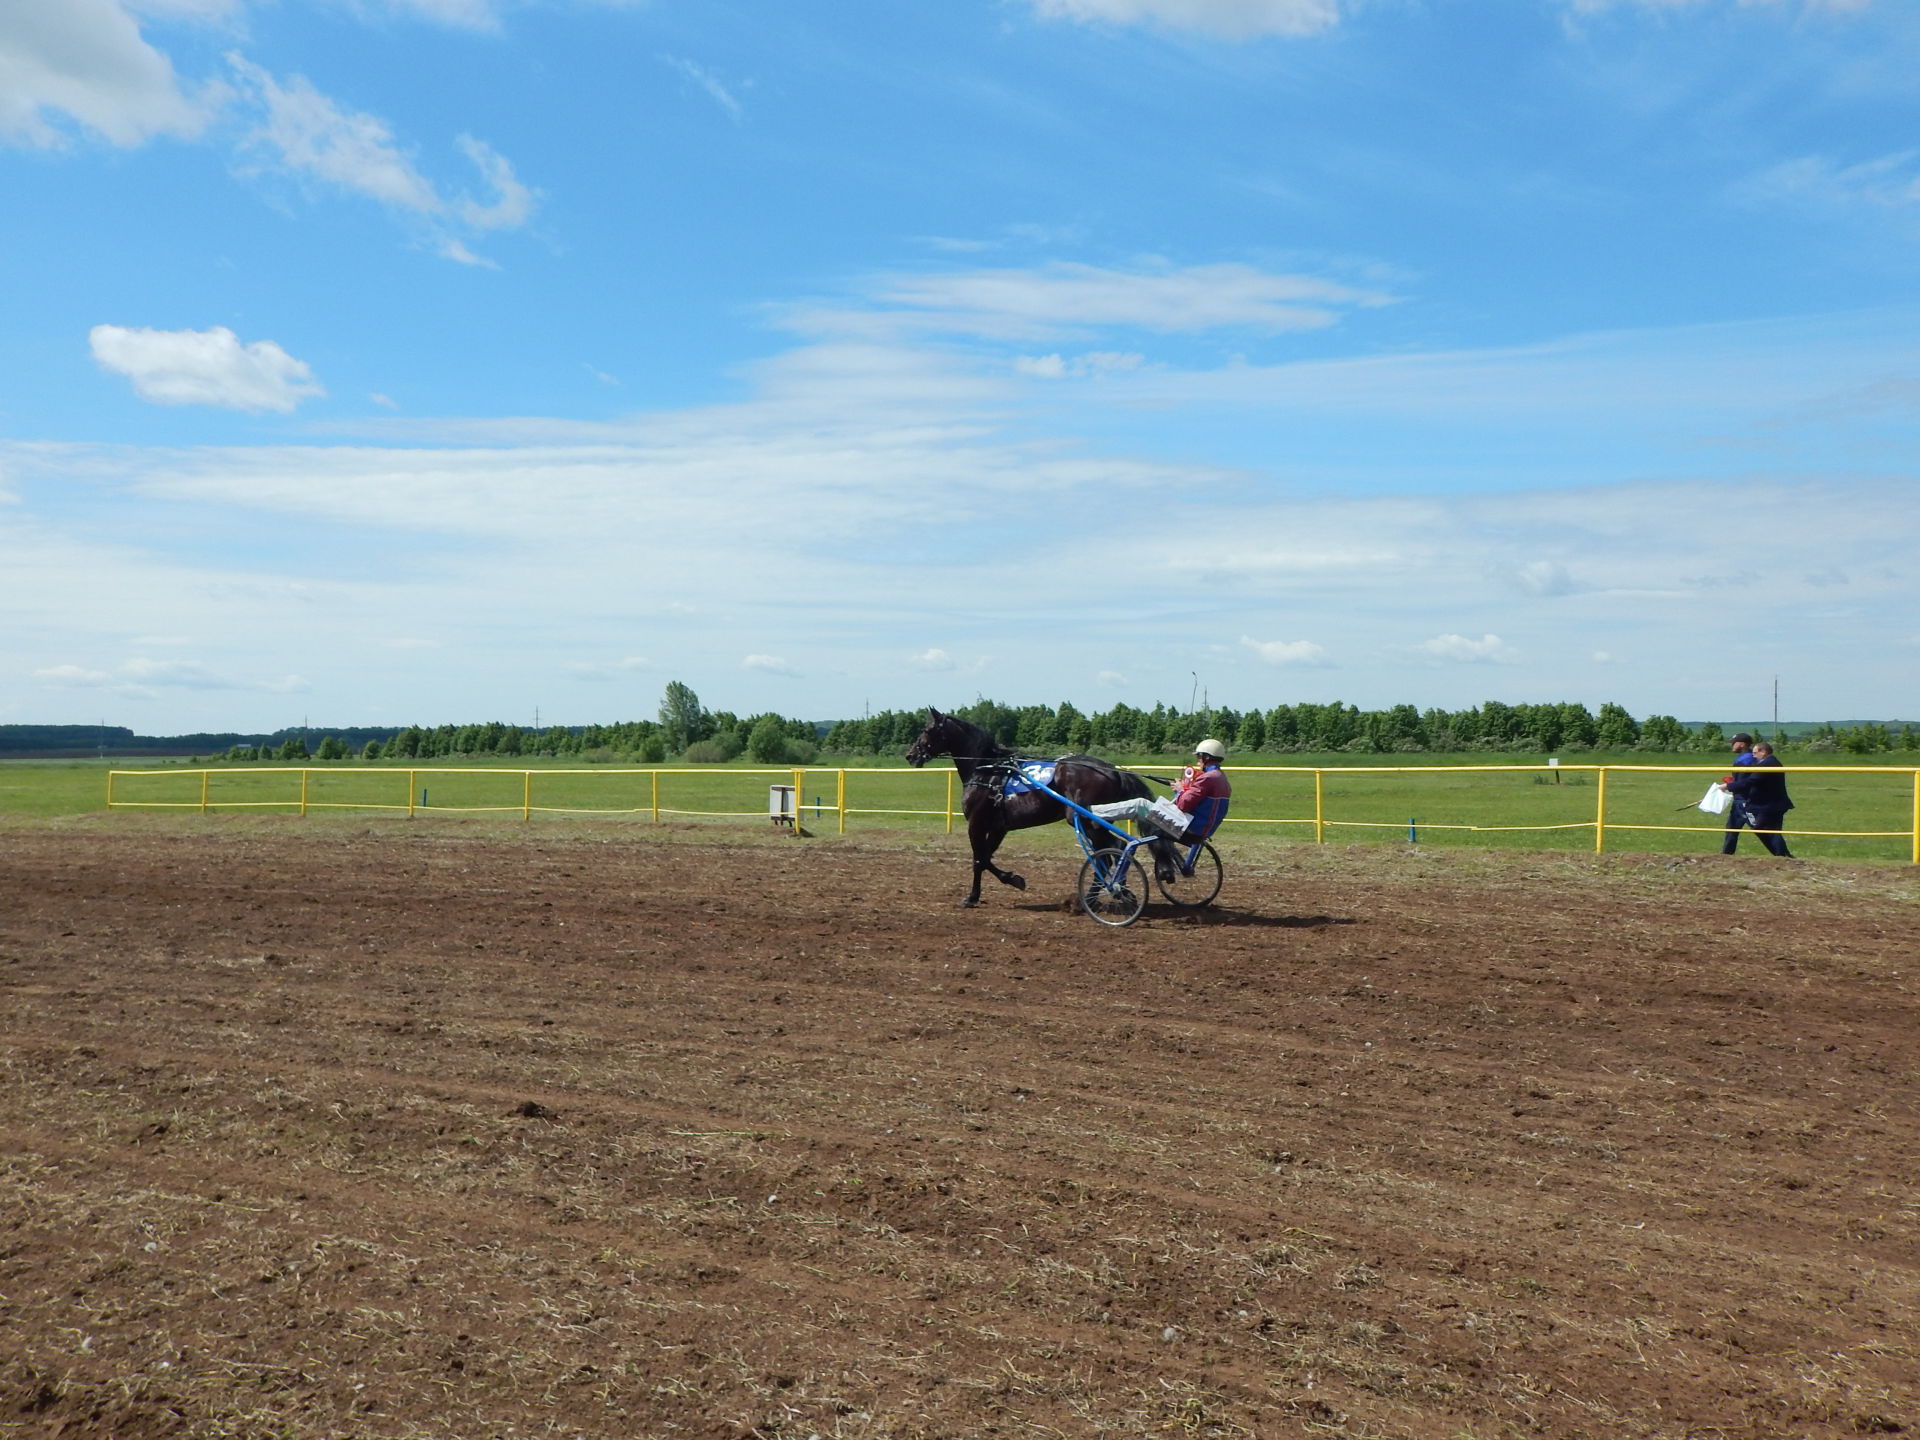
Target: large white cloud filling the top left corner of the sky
[{"x": 89, "y": 64}]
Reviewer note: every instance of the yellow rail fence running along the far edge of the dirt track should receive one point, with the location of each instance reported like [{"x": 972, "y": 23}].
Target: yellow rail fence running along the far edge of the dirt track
[{"x": 1262, "y": 796}]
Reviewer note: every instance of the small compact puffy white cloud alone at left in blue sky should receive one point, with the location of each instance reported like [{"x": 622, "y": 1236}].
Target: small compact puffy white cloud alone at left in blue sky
[{"x": 204, "y": 368}]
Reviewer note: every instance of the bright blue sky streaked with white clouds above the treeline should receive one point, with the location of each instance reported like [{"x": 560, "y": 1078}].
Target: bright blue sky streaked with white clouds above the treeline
[{"x": 385, "y": 362}]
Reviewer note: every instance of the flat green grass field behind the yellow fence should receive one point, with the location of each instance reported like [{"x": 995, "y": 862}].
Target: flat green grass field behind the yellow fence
[{"x": 1445, "y": 800}]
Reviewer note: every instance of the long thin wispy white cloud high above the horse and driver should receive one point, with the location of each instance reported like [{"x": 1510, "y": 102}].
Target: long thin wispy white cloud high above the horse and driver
[{"x": 1068, "y": 299}]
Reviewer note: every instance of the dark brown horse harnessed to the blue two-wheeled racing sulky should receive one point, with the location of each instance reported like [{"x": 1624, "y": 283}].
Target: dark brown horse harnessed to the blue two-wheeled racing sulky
[{"x": 990, "y": 811}]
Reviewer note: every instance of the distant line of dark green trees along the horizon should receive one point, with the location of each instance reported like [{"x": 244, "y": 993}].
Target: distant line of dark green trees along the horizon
[{"x": 686, "y": 731}]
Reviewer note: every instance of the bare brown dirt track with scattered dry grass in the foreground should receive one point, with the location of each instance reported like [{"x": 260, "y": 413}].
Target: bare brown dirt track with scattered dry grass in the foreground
[{"x": 439, "y": 1130}]
